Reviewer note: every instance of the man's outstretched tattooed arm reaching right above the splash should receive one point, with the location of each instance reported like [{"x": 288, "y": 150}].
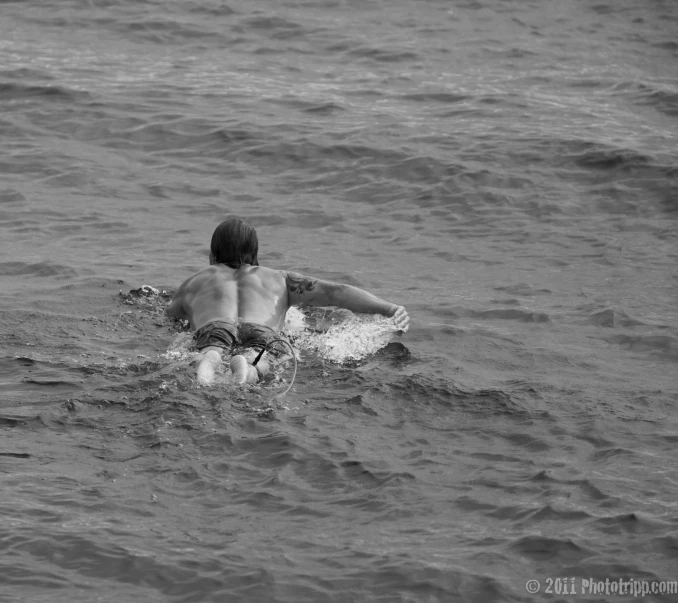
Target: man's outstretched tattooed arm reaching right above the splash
[{"x": 303, "y": 290}]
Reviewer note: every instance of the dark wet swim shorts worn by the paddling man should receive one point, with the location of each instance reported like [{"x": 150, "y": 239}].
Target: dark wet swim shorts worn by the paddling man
[{"x": 229, "y": 336}]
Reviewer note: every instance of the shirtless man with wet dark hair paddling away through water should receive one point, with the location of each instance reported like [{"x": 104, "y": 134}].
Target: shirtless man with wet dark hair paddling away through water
[{"x": 235, "y": 303}]
